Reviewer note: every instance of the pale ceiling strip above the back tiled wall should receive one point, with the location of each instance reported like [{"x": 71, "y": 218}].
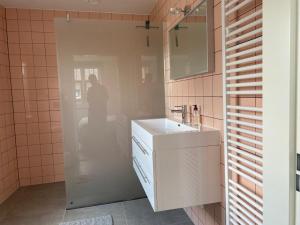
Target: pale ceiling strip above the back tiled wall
[{"x": 117, "y": 6}]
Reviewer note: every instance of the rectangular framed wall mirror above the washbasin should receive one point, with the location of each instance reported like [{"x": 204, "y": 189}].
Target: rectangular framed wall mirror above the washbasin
[{"x": 191, "y": 43}]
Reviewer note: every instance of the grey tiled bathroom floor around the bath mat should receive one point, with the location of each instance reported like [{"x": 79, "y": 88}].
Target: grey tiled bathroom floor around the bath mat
[{"x": 45, "y": 205}]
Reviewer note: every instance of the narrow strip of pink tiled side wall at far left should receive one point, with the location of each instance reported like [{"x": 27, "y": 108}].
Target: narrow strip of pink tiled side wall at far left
[{"x": 8, "y": 161}]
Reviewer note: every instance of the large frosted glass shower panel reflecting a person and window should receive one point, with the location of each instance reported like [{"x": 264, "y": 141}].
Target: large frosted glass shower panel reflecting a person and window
[{"x": 108, "y": 76}]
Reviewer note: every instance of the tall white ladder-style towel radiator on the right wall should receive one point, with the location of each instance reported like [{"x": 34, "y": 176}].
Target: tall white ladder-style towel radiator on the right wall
[{"x": 243, "y": 121}]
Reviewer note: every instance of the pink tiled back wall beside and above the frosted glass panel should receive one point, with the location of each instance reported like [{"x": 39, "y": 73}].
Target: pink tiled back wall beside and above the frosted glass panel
[{"x": 33, "y": 66}]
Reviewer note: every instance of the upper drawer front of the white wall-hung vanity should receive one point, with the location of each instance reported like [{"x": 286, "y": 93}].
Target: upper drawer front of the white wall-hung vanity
[{"x": 144, "y": 156}]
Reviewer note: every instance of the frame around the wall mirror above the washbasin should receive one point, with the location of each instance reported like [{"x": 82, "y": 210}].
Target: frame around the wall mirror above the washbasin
[{"x": 210, "y": 40}]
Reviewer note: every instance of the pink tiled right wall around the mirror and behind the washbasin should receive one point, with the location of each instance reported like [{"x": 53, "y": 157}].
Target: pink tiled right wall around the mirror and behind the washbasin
[{"x": 205, "y": 91}]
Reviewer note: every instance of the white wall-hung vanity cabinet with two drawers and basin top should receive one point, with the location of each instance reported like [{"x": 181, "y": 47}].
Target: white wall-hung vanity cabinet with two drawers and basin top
[{"x": 177, "y": 165}]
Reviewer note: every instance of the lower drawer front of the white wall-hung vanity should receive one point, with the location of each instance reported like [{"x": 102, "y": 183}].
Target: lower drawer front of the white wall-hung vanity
[{"x": 147, "y": 184}]
